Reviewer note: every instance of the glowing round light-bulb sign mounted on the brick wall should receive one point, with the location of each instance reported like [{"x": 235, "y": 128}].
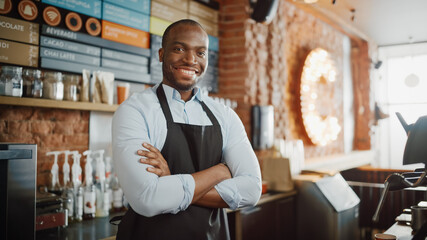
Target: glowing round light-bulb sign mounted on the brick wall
[{"x": 317, "y": 97}]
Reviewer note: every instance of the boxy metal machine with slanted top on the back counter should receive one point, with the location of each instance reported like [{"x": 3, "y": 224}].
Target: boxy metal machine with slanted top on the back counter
[{"x": 328, "y": 209}]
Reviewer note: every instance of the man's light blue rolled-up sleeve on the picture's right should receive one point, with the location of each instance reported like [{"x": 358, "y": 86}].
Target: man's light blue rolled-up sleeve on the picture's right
[{"x": 244, "y": 188}]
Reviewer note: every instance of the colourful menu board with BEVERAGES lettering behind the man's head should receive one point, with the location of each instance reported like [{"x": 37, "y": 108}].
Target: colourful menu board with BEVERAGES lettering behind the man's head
[{"x": 106, "y": 35}]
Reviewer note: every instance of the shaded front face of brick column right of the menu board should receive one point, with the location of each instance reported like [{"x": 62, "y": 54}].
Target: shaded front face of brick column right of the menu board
[{"x": 233, "y": 58}]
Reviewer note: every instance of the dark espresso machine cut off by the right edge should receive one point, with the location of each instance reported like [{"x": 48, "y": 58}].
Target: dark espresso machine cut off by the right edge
[{"x": 415, "y": 152}]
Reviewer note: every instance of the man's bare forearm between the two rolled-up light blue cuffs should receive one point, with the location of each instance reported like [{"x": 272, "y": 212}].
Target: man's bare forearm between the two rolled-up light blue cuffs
[{"x": 206, "y": 180}]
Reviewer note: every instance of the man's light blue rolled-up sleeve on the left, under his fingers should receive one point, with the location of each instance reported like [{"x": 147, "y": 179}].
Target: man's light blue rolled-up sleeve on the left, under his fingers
[{"x": 147, "y": 194}]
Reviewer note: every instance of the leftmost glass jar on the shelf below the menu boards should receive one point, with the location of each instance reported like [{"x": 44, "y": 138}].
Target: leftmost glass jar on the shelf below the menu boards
[{"x": 11, "y": 81}]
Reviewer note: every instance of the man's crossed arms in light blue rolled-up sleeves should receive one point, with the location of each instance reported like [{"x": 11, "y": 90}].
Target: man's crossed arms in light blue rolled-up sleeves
[{"x": 151, "y": 190}]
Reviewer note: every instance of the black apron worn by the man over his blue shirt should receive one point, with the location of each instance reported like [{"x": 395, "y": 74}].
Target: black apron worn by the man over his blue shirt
[{"x": 188, "y": 149}]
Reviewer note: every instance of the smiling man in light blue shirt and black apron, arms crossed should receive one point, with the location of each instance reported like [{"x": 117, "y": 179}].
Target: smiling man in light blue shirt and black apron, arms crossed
[{"x": 180, "y": 156}]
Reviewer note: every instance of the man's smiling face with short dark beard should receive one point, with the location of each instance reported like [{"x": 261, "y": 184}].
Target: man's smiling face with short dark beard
[{"x": 185, "y": 57}]
